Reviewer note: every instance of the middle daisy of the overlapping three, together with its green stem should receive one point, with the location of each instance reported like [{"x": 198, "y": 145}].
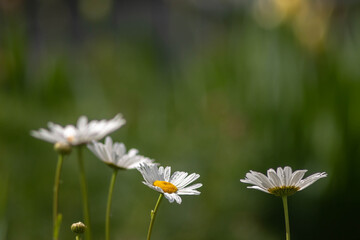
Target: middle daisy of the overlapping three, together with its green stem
[{"x": 115, "y": 156}]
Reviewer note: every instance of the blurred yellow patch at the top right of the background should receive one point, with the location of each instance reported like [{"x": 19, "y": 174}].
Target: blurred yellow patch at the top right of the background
[{"x": 309, "y": 19}]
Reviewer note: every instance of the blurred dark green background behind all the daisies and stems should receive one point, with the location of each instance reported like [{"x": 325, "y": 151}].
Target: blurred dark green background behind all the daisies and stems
[{"x": 213, "y": 87}]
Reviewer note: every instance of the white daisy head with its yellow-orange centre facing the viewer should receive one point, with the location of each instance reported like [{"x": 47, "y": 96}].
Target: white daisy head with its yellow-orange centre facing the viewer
[{"x": 171, "y": 187}]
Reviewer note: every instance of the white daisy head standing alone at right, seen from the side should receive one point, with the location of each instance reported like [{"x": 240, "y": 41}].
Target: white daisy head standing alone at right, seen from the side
[{"x": 284, "y": 182}]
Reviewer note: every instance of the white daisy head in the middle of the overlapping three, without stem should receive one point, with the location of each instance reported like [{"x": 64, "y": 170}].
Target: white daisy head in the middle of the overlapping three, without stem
[{"x": 114, "y": 154}]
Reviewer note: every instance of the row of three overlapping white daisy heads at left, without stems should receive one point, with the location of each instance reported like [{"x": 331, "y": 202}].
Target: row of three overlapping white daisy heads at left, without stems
[{"x": 115, "y": 155}]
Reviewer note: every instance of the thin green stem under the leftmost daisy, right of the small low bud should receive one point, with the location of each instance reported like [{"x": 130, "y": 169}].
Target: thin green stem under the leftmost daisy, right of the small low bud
[{"x": 84, "y": 192}]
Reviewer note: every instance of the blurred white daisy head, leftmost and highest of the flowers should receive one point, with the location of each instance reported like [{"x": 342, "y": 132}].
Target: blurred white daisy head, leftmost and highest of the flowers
[{"x": 84, "y": 132}]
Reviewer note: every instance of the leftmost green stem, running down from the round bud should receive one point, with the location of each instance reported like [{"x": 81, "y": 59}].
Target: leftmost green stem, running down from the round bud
[{"x": 56, "y": 221}]
